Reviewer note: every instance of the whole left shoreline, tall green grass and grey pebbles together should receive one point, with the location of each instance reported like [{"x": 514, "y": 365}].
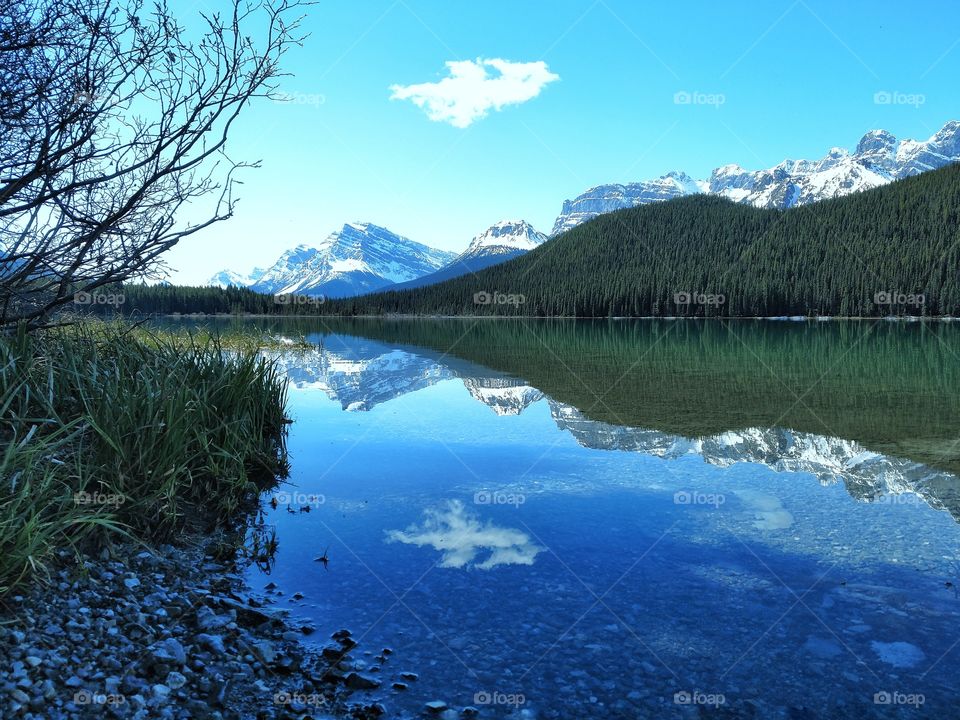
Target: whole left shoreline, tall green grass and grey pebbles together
[{"x": 100, "y": 615}]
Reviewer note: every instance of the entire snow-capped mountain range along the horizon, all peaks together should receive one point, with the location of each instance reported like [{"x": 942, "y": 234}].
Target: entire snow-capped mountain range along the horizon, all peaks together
[{"x": 363, "y": 257}]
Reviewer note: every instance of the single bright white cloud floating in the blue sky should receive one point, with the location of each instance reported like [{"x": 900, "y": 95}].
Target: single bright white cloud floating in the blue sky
[{"x": 473, "y": 88}]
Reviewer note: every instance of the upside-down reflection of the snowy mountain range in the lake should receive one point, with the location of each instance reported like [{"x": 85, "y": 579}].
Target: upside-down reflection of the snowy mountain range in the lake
[{"x": 361, "y": 373}]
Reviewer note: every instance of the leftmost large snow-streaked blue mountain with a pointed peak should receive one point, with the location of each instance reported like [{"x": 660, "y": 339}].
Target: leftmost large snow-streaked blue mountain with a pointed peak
[{"x": 359, "y": 258}]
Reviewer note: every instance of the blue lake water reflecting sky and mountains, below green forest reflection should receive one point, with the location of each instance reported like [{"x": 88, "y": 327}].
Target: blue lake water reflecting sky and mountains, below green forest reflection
[{"x": 530, "y": 562}]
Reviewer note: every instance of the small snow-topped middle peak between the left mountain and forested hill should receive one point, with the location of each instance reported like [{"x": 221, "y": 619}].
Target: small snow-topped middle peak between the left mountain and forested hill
[{"x": 498, "y": 243}]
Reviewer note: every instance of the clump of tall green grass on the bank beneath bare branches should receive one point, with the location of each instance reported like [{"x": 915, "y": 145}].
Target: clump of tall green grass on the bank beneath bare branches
[{"x": 109, "y": 428}]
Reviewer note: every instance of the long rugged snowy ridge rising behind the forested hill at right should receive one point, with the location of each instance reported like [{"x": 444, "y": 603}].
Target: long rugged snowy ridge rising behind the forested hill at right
[{"x": 879, "y": 158}]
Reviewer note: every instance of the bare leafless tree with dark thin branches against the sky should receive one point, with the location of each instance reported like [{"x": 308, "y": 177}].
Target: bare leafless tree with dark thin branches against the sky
[{"x": 114, "y": 118}]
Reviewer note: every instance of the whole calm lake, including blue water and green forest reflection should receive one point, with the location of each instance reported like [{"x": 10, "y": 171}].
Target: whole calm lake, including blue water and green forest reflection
[{"x": 628, "y": 519}]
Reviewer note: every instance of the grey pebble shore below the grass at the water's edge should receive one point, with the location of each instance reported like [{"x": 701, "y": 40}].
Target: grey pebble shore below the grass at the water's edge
[{"x": 168, "y": 633}]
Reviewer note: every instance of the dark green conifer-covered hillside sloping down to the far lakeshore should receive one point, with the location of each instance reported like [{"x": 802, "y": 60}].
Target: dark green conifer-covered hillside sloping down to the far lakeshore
[{"x": 892, "y": 250}]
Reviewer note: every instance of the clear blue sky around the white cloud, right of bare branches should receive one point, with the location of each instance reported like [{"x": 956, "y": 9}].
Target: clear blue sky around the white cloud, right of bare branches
[{"x": 795, "y": 78}]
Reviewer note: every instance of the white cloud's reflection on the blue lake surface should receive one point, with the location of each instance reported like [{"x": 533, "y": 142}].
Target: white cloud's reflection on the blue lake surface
[{"x": 460, "y": 535}]
